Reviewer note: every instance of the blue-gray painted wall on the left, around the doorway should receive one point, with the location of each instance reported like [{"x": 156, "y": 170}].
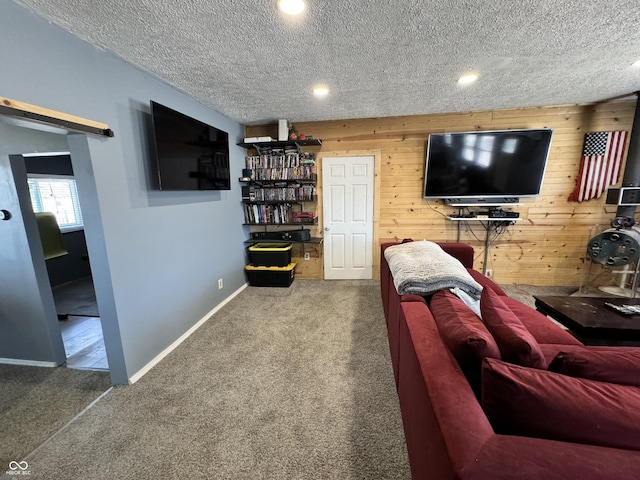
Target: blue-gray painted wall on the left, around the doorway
[{"x": 155, "y": 256}]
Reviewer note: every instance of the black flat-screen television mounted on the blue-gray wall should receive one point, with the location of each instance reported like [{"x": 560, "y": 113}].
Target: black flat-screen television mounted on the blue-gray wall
[{"x": 190, "y": 155}]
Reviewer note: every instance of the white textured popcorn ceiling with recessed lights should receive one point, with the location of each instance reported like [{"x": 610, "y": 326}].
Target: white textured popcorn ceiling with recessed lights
[{"x": 379, "y": 57}]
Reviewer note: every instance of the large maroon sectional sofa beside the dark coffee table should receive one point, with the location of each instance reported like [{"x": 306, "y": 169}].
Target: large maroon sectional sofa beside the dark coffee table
[{"x": 469, "y": 418}]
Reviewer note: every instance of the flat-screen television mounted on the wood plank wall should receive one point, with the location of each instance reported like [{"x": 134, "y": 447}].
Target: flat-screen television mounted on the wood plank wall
[{"x": 486, "y": 167}]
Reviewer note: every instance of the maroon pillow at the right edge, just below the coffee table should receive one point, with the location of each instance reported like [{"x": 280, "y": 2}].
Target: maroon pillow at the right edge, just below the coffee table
[{"x": 616, "y": 364}]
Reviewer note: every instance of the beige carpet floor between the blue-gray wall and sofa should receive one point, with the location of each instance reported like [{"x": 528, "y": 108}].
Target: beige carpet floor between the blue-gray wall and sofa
[{"x": 281, "y": 383}]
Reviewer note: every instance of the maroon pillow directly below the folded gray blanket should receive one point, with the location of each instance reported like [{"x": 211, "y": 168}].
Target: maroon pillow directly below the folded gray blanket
[{"x": 461, "y": 329}]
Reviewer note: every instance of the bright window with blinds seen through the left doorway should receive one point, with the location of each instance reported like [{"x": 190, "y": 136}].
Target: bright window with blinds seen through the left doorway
[{"x": 59, "y": 196}]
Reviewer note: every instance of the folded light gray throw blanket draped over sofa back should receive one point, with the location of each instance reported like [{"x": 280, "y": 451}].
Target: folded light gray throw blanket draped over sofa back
[{"x": 423, "y": 268}]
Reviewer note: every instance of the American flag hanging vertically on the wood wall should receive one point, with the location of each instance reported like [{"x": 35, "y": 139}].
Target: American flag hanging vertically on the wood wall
[{"x": 600, "y": 165}]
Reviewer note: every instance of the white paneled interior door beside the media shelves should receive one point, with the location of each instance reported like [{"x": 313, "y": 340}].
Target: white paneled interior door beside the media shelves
[{"x": 347, "y": 185}]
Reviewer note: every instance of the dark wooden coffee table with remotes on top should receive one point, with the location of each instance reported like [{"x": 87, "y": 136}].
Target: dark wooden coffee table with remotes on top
[{"x": 590, "y": 321}]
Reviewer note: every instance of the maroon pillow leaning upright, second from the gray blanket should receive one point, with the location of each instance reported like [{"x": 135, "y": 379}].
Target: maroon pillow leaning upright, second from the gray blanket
[{"x": 516, "y": 344}]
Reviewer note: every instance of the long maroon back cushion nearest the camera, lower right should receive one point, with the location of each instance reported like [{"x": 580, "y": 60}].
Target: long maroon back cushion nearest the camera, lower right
[{"x": 539, "y": 403}]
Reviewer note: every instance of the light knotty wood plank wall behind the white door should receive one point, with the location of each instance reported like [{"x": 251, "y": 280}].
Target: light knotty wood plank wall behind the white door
[{"x": 547, "y": 247}]
